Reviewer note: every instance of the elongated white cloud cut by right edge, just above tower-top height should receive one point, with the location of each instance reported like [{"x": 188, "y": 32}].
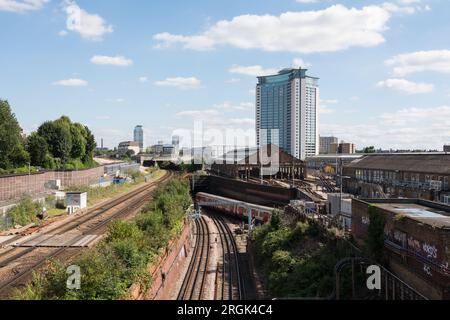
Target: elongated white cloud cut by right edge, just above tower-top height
[{"x": 420, "y": 61}]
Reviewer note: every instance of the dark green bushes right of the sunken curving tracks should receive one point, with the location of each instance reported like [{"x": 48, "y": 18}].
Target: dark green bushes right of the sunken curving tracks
[{"x": 298, "y": 261}]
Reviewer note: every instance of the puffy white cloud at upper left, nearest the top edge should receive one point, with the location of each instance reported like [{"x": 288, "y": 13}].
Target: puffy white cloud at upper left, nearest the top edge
[{"x": 89, "y": 26}]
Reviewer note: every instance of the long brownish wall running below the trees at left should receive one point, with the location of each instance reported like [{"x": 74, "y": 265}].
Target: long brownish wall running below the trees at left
[{"x": 16, "y": 186}]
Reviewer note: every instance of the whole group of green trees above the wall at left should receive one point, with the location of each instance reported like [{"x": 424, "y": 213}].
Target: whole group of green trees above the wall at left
[{"x": 59, "y": 144}]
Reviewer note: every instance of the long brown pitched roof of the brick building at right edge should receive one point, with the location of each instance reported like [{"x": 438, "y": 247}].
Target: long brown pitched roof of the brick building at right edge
[{"x": 432, "y": 163}]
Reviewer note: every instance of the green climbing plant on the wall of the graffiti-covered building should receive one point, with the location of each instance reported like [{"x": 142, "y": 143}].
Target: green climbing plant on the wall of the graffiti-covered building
[{"x": 375, "y": 234}]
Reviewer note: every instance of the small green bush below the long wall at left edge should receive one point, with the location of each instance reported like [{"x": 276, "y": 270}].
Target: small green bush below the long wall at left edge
[{"x": 23, "y": 214}]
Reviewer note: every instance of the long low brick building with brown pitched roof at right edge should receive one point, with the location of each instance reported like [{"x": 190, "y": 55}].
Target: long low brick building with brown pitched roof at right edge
[{"x": 412, "y": 175}]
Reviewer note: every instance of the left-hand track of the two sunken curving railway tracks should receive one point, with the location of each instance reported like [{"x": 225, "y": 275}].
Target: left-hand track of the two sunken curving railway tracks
[{"x": 194, "y": 283}]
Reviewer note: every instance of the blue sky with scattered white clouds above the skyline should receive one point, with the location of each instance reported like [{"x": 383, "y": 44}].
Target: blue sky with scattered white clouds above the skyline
[{"x": 384, "y": 66}]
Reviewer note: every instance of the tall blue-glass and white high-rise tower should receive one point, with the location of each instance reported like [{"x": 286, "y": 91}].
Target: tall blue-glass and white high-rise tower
[{"x": 287, "y": 112}]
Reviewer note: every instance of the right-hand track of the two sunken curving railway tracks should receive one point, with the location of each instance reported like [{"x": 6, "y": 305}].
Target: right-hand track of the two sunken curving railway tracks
[{"x": 231, "y": 286}]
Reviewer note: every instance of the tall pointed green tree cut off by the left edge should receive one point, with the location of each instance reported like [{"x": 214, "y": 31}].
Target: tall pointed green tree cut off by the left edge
[{"x": 12, "y": 152}]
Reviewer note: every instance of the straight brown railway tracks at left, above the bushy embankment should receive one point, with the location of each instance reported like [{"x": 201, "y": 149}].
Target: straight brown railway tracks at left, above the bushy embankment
[{"x": 139, "y": 197}]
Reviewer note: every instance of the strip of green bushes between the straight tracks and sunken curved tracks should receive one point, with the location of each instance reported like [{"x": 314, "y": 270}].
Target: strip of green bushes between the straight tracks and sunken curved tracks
[{"x": 109, "y": 269}]
